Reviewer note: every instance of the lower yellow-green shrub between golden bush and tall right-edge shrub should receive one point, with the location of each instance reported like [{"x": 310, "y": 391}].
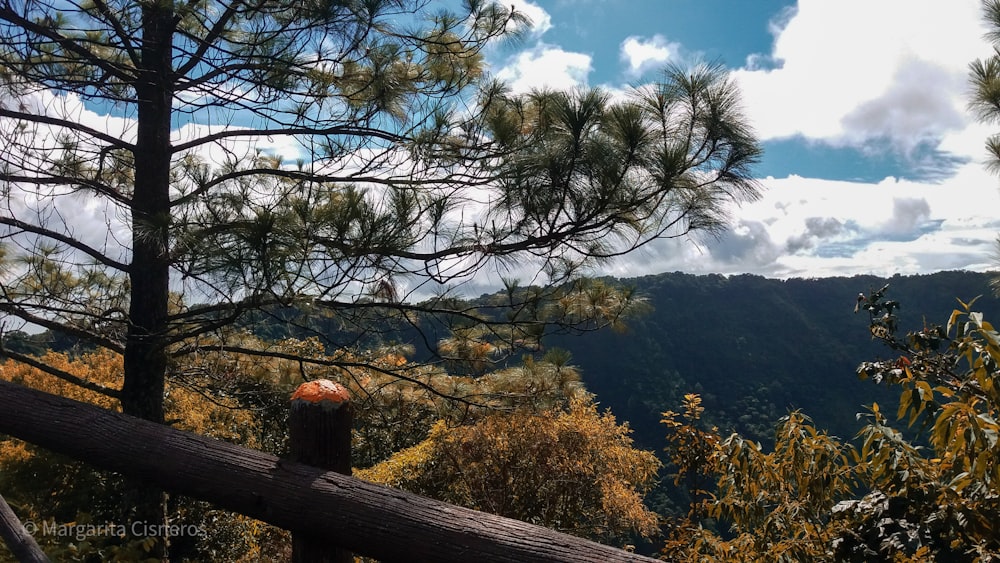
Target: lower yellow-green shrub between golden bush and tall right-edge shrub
[{"x": 776, "y": 504}]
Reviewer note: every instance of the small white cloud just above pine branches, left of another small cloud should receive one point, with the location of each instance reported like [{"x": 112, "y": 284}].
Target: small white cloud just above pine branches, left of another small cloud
[{"x": 545, "y": 66}]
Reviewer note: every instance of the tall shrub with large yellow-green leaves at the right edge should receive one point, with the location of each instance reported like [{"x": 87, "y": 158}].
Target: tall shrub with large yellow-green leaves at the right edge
[{"x": 948, "y": 376}]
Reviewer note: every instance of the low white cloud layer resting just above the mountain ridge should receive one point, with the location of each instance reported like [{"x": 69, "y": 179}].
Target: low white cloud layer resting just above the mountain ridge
[{"x": 806, "y": 227}]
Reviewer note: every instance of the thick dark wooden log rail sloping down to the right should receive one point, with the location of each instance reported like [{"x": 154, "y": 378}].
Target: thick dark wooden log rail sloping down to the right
[{"x": 367, "y": 519}]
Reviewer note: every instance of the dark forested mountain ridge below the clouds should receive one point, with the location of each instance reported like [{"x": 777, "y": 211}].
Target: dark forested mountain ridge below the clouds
[{"x": 755, "y": 347}]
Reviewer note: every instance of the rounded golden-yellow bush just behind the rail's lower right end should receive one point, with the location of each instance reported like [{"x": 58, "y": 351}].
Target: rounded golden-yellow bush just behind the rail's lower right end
[{"x": 574, "y": 470}]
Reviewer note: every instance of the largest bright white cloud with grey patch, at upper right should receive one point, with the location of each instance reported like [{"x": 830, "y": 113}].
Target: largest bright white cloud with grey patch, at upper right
[{"x": 852, "y": 72}]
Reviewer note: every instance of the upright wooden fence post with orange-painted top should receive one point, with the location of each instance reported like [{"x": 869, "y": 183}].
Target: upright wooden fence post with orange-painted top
[{"x": 319, "y": 428}]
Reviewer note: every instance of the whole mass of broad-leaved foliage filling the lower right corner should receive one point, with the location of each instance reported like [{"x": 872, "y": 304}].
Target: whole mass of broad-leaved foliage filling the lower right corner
[{"x": 816, "y": 498}]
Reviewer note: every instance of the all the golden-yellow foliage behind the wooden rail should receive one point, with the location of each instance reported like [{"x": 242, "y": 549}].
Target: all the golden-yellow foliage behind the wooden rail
[{"x": 525, "y": 442}]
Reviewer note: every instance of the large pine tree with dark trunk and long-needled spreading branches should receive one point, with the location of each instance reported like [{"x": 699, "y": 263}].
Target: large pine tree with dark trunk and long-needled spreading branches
[{"x": 414, "y": 171}]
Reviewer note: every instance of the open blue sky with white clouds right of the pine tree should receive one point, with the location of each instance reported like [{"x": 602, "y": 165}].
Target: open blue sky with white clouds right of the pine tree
[{"x": 872, "y": 163}]
